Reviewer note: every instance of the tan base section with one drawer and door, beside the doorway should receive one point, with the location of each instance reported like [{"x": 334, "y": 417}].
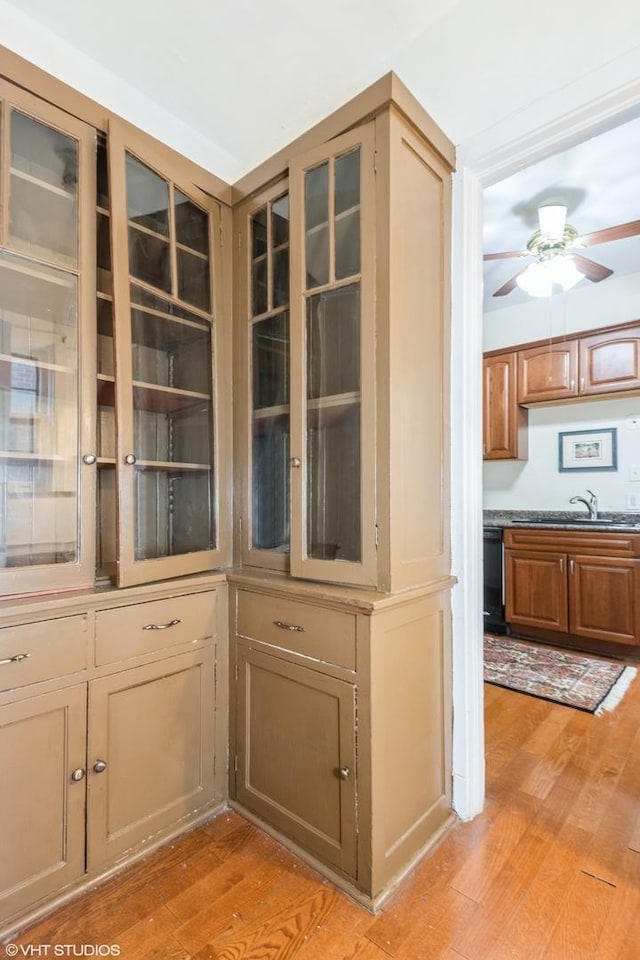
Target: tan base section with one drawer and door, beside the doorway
[{"x": 340, "y": 723}]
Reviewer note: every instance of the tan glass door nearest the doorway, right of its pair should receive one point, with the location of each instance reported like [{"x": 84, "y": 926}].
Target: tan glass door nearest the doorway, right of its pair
[{"x": 332, "y": 447}]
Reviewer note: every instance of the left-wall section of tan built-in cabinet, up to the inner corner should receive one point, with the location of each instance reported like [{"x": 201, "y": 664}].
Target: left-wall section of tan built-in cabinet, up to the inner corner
[{"x": 115, "y": 503}]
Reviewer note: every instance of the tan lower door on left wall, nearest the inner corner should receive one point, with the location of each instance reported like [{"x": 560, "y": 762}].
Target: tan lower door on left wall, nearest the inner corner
[{"x": 151, "y": 750}]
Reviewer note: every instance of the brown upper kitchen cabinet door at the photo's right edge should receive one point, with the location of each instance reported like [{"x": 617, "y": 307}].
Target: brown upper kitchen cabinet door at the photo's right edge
[{"x": 610, "y": 362}]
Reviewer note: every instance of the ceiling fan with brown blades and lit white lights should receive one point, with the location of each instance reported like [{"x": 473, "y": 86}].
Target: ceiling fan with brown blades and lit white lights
[{"x": 555, "y": 246}]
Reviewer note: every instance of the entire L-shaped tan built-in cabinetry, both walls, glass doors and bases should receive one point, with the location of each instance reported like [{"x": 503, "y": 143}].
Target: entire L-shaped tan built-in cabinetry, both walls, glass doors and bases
[{"x": 118, "y": 269}]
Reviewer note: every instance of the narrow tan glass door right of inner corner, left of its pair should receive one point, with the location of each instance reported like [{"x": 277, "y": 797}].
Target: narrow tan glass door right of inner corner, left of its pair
[{"x": 265, "y": 244}]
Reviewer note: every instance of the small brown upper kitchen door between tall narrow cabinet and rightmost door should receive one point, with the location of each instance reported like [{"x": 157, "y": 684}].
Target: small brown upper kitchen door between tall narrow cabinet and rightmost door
[{"x": 548, "y": 372}]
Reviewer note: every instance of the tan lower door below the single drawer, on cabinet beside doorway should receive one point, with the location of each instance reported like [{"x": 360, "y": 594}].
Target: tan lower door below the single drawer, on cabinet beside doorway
[{"x": 296, "y": 754}]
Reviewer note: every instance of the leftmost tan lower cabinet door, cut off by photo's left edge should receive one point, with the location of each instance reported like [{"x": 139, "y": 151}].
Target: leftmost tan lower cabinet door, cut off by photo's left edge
[{"x": 42, "y": 800}]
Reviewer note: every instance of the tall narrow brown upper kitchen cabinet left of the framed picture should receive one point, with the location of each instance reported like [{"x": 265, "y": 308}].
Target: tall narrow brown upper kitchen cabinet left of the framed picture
[{"x": 504, "y": 421}]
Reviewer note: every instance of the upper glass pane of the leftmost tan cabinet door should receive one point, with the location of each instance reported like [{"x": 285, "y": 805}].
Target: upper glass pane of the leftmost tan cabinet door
[{"x": 43, "y": 206}]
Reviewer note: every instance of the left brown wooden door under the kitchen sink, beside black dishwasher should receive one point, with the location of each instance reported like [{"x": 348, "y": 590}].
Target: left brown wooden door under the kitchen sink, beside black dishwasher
[{"x": 536, "y": 589}]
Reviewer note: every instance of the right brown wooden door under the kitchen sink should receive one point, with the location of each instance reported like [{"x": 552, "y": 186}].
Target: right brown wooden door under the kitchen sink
[{"x": 604, "y": 598}]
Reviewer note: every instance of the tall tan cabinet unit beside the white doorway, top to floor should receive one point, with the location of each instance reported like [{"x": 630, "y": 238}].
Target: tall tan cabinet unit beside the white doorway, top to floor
[{"x": 340, "y": 719}]
